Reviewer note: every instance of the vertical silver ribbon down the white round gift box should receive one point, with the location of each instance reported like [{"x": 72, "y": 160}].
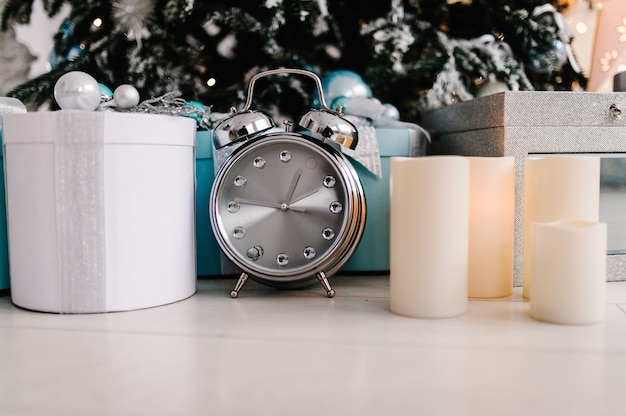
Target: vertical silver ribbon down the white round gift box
[{"x": 79, "y": 193}]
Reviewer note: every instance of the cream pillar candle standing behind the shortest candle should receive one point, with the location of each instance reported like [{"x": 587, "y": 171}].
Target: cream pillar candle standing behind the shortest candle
[{"x": 564, "y": 187}]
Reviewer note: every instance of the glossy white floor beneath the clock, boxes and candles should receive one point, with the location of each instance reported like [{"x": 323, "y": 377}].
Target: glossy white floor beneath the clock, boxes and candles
[{"x": 297, "y": 353}]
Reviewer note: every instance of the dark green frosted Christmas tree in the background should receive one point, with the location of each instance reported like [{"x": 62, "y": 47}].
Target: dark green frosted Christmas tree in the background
[{"x": 414, "y": 54}]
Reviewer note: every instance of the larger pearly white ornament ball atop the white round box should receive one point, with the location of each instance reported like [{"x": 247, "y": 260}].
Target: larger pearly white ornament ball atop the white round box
[{"x": 77, "y": 90}]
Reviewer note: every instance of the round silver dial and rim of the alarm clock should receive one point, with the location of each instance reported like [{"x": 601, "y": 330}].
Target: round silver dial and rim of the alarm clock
[{"x": 286, "y": 206}]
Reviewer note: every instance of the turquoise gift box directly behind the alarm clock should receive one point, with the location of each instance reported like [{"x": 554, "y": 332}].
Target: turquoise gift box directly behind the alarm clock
[{"x": 372, "y": 254}]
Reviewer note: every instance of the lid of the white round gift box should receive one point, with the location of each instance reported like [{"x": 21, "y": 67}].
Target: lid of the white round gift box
[{"x": 116, "y": 128}]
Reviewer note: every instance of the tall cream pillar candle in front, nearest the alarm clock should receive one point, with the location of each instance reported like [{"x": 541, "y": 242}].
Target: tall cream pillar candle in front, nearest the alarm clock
[{"x": 429, "y": 227}]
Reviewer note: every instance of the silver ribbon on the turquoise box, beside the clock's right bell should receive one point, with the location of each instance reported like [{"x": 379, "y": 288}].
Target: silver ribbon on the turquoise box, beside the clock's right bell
[{"x": 368, "y": 114}]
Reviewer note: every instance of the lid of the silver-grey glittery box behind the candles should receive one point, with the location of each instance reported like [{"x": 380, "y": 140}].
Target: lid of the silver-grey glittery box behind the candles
[{"x": 529, "y": 108}]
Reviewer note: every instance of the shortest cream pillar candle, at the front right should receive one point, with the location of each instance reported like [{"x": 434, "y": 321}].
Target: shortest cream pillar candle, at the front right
[{"x": 569, "y": 271}]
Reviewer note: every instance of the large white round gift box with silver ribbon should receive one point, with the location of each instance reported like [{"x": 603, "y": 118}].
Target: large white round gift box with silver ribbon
[{"x": 100, "y": 210}]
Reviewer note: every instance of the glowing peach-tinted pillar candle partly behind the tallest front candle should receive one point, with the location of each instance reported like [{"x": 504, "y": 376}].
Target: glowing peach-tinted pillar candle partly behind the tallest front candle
[{"x": 491, "y": 223}]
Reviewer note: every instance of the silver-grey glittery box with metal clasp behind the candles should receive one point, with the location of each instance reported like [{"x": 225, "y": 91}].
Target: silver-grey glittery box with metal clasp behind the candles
[{"x": 523, "y": 123}]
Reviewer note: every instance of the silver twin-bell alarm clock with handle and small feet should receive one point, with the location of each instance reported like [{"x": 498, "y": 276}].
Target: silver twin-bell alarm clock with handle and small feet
[{"x": 286, "y": 206}]
